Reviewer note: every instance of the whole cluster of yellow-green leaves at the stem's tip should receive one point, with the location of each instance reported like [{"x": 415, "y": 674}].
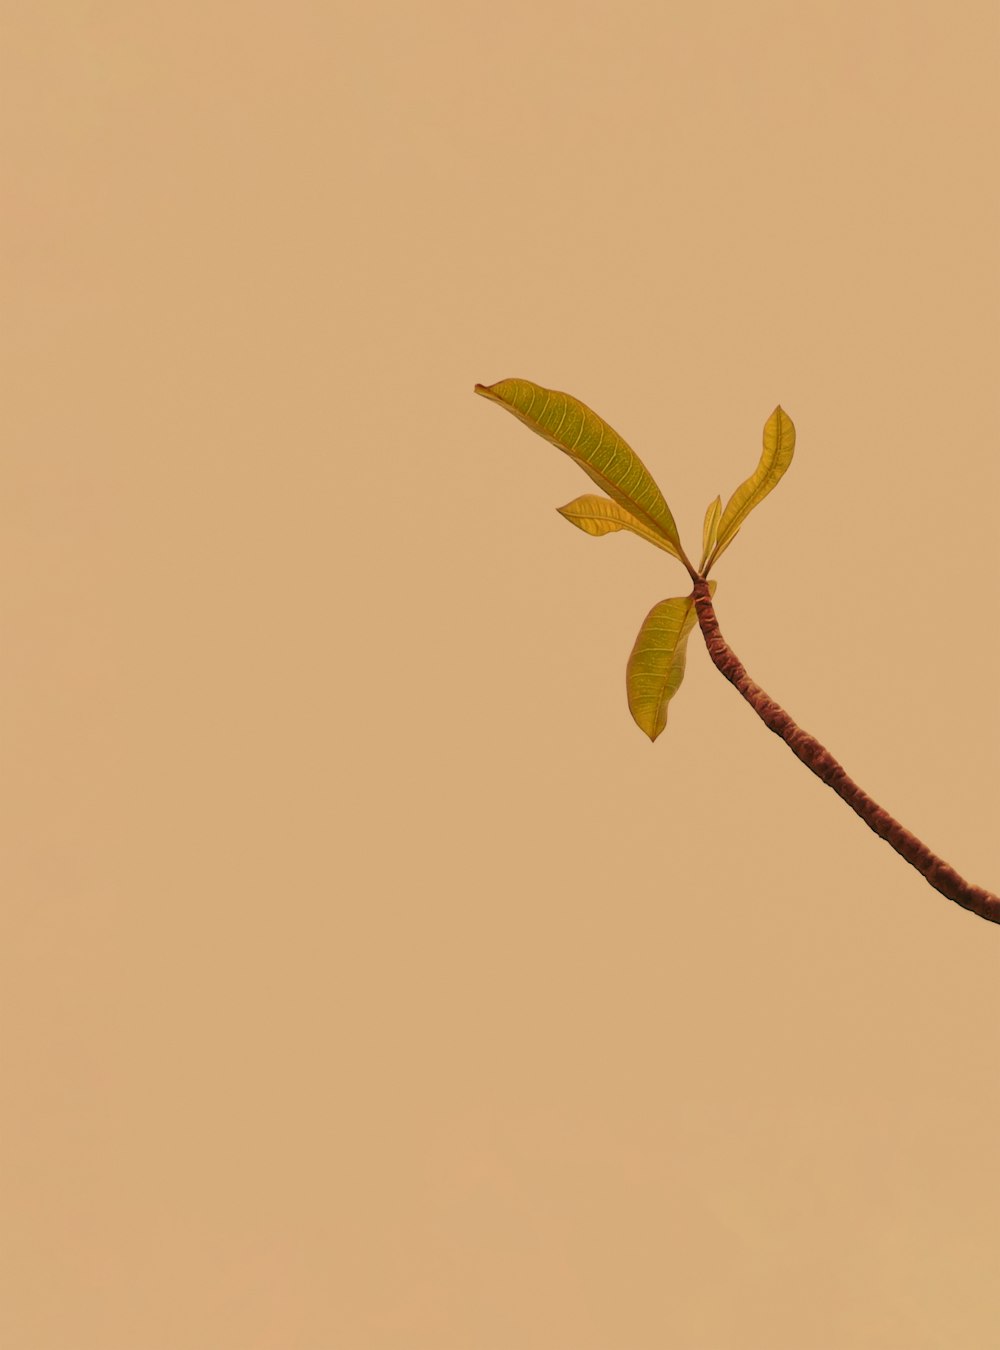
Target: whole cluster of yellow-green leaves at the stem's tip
[{"x": 635, "y": 503}]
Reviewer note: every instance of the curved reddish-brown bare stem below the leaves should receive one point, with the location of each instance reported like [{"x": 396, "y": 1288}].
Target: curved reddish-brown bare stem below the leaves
[{"x": 823, "y": 763}]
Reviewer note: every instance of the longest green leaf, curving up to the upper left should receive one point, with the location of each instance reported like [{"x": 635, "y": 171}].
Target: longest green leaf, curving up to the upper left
[{"x": 597, "y": 449}]
